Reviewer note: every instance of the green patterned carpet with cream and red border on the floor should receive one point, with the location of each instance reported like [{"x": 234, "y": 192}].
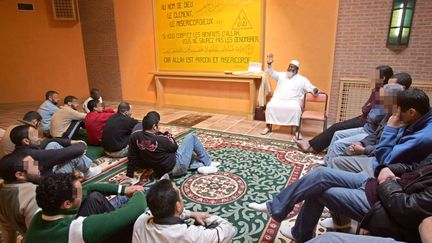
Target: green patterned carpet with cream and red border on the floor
[{"x": 252, "y": 169}]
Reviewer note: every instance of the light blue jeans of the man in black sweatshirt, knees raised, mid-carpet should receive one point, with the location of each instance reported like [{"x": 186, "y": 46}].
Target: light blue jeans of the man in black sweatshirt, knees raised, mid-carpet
[{"x": 184, "y": 155}]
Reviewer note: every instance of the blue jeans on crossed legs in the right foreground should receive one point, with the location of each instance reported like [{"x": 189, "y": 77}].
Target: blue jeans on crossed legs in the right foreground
[{"x": 339, "y": 191}]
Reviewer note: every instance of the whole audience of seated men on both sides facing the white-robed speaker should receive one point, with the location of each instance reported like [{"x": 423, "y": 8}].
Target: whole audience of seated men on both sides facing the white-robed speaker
[{"x": 377, "y": 171}]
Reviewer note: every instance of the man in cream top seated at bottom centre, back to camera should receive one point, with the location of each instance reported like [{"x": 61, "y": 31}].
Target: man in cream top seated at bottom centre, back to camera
[{"x": 166, "y": 223}]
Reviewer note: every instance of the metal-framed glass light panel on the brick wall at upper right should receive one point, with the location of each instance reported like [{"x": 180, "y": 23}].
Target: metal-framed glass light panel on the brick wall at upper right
[{"x": 400, "y": 23}]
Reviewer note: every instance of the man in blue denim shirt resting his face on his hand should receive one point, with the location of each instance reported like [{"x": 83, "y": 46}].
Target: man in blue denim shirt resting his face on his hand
[{"x": 404, "y": 139}]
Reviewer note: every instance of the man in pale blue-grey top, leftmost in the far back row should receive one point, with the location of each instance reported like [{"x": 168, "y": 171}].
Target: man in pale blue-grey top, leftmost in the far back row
[{"x": 47, "y": 109}]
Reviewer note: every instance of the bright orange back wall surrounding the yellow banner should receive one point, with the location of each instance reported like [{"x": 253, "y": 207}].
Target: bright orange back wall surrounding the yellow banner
[{"x": 302, "y": 29}]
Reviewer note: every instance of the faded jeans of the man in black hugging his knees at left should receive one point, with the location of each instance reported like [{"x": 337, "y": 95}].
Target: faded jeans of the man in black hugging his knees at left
[{"x": 82, "y": 163}]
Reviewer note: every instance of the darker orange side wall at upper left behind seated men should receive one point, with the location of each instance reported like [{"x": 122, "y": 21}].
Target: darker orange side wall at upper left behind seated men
[{"x": 38, "y": 54}]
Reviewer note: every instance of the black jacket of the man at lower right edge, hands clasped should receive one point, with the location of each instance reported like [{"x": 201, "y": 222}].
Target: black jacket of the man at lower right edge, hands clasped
[{"x": 401, "y": 209}]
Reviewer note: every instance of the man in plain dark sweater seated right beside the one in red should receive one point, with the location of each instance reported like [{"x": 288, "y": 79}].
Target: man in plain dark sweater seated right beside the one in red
[{"x": 117, "y": 130}]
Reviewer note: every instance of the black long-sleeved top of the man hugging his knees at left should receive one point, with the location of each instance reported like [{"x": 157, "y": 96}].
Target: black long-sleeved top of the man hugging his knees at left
[{"x": 48, "y": 158}]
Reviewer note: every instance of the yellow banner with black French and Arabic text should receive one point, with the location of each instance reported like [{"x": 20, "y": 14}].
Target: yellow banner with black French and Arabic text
[{"x": 208, "y": 35}]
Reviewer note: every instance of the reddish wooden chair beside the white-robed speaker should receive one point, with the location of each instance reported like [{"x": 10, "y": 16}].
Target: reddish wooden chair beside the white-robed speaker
[{"x": 314, "y": 115}]
